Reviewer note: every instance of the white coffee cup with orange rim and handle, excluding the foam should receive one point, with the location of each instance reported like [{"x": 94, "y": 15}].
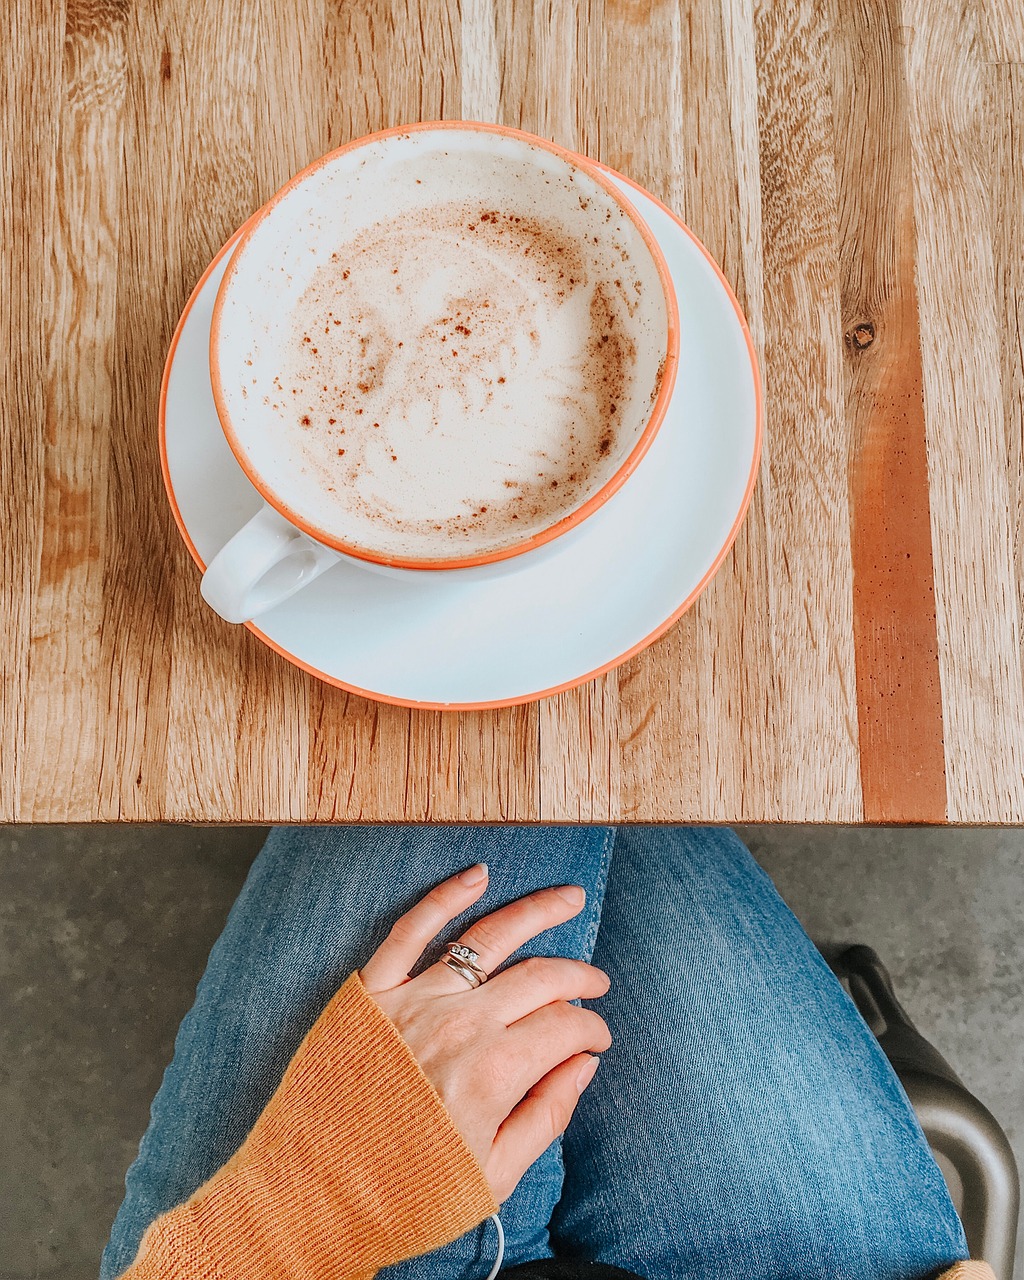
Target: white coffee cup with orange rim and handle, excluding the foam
[{"x": 286, "y": 546}]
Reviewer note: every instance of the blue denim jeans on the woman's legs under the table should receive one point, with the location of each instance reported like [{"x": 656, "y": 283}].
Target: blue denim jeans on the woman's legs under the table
[{"x": 743, "y": 1124}]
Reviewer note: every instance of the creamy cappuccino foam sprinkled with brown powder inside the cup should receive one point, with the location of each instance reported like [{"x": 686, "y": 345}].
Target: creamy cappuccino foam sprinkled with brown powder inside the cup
[{"x": 458, "y": 378}]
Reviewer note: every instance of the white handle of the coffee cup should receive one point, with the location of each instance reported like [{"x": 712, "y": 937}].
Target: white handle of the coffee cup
[{"x": 266, "y": 563}]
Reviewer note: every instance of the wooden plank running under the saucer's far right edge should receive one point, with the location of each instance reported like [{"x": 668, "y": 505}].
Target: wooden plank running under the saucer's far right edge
[{"x": 720, "y": 199}]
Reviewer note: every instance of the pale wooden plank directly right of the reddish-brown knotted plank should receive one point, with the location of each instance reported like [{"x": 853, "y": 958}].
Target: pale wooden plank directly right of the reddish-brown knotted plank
[{"x": 977, "y": 598}]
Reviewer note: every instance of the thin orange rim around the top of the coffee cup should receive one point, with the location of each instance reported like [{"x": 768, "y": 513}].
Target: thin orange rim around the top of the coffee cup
[{"x": 596, "y": 501}]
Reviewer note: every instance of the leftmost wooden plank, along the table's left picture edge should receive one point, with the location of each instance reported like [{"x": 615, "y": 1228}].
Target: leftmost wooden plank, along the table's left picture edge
[{"x": 31, "y": 60}]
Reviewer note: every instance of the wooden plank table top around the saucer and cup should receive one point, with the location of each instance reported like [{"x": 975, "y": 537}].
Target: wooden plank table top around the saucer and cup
[{"x": 856, "y": 166}]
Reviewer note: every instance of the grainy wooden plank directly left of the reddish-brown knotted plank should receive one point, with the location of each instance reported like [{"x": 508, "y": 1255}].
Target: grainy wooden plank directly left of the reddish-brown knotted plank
[{"x": 810, "y": 570}]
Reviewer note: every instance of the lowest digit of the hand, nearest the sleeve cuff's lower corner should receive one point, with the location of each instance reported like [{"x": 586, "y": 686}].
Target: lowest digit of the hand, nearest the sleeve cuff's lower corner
[{"x": 537, "y": 1122}]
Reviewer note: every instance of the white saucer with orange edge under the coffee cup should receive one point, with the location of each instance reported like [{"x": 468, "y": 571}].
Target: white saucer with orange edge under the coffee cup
[{"x": 464, "y": 643}]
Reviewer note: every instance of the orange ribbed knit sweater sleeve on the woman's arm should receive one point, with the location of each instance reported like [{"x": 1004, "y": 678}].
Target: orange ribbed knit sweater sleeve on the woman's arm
[{"x": 355, "y": 1164}]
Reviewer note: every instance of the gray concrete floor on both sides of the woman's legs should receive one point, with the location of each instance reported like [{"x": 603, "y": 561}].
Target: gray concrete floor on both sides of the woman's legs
[{"x": 104, "y": 932}]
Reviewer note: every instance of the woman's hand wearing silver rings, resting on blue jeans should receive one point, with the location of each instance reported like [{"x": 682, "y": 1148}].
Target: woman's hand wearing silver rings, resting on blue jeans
[{"x": 510, "y": 1059}]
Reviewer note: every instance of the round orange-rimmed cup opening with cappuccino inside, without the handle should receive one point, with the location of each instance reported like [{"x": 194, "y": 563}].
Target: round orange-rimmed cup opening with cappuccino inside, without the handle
[{"x": 444, "y": 346}]
